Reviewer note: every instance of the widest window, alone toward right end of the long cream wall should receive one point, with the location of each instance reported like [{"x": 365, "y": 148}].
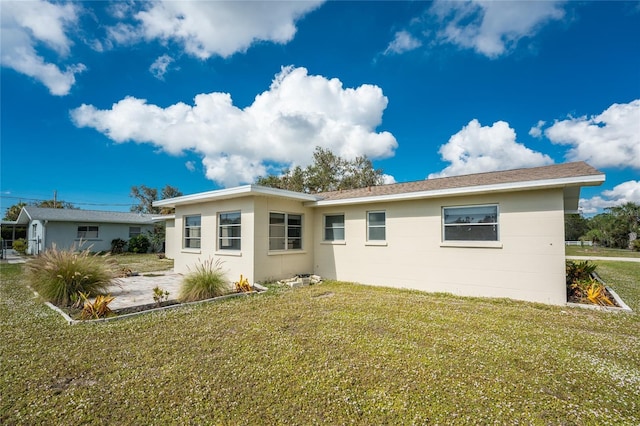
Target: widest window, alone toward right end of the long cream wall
[{"x": 472, "y": 223}]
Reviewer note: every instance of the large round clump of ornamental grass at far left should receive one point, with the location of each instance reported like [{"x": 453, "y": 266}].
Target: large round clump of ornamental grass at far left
[{"x": 60, "y": 275}]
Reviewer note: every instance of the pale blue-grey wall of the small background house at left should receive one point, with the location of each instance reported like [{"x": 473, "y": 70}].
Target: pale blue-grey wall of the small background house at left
[{"x": 64, "y": 235}]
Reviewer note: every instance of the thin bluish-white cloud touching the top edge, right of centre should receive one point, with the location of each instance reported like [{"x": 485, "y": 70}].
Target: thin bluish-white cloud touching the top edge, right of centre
[{"x": 493, "y": 28}]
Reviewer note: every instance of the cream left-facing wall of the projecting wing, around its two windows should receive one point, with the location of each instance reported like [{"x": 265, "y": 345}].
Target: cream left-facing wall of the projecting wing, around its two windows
[{"x": 235, "y": 262}]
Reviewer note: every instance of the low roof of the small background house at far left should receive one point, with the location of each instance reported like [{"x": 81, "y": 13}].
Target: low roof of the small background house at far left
[{"x": 29, "y": 213}]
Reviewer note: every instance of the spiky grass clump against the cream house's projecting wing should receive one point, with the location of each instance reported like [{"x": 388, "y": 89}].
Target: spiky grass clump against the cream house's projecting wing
[{"x": 207, "y": 280}]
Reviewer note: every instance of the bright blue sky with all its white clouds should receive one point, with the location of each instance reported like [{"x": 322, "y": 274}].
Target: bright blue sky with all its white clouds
[{"x": 97, "y": 97}]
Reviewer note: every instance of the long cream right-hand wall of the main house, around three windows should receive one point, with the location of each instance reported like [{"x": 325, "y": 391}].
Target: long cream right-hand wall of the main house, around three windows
[{"x": 528, "y": 263}]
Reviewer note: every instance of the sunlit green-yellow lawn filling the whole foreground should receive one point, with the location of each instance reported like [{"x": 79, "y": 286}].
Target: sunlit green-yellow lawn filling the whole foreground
[{"x": 333, "y": 353}]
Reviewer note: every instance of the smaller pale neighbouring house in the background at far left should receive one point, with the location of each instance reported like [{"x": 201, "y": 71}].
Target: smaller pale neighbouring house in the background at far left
[{"x": 67, "y": 228}]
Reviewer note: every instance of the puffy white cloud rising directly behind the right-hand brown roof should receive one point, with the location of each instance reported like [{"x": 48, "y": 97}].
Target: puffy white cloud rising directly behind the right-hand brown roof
[{"x": 477, "y": 148}]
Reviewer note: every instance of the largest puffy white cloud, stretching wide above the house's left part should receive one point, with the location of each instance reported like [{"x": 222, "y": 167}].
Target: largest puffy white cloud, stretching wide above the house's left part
[{"x": 281, "y": 128}]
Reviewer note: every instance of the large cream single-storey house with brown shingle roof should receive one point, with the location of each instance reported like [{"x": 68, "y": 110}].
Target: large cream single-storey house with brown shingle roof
[{"x": 498, "y": 234}]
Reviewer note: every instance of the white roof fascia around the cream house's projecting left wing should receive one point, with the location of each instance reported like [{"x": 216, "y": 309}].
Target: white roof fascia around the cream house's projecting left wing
[{"x": 235, "y": 192}]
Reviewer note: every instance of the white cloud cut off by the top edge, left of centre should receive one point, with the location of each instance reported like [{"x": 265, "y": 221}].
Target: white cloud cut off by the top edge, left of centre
[{"x": 207, "y": 28}]
